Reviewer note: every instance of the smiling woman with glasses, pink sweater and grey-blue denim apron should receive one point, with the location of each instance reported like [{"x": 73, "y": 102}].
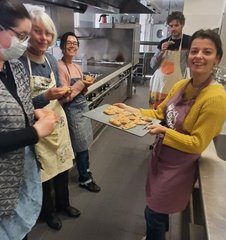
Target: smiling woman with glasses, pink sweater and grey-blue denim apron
[{"x": 75, "y": 105}]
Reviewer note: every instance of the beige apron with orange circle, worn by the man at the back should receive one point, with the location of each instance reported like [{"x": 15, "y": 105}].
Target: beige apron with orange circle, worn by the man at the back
[{"x": 166, "y": 76}]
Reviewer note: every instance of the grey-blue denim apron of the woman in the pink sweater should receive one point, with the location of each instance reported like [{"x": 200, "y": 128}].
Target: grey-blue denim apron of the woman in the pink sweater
[{"x": 80, "y": 127}]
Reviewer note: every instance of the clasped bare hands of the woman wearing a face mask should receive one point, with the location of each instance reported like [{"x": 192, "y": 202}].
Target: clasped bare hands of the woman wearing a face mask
[{"x": 46, "y": 122}]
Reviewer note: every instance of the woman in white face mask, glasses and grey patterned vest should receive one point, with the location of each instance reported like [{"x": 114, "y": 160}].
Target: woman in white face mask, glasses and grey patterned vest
[{"x": 21, "y": 190}]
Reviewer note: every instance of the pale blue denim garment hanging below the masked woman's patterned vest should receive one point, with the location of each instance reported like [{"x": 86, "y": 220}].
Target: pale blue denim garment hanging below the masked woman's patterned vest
[{"x": 30, "y": 197}]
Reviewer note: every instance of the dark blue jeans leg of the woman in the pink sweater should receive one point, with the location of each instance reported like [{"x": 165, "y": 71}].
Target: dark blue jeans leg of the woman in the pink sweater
[{"x": 82, "y": 162}]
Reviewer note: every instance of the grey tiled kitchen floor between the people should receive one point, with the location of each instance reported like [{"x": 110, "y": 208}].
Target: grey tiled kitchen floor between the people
[{"x": 119, "y": 164}]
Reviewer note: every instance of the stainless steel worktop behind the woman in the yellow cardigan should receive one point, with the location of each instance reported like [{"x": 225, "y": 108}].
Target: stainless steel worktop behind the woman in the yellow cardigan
[{"x": 213, "y": 190}]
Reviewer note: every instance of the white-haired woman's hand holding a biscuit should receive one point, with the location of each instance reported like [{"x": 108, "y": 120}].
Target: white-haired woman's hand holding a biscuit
[{"x": 57, "y": 92}]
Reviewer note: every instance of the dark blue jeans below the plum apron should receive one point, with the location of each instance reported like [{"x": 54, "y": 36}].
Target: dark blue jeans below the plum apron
[{"x": 156, "y": 223}]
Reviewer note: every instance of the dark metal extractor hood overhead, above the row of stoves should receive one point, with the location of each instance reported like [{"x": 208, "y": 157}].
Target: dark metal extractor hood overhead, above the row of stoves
[{"x": 114, "y": 6}]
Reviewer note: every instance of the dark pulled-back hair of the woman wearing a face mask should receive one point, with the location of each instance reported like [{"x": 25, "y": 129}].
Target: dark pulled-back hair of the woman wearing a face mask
[{"x": 11, "y": 11}]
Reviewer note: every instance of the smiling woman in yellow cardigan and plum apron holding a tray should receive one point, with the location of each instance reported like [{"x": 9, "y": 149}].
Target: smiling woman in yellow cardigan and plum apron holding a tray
[{"x": 193, "y": 114}]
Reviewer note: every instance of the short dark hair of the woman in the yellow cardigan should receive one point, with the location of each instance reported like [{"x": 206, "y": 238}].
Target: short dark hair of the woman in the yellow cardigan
[{"x": 211, "y": 35}]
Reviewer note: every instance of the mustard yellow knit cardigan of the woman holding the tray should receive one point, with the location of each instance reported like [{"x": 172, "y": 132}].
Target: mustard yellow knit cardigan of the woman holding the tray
[{"x": 203, "y": 122}]
